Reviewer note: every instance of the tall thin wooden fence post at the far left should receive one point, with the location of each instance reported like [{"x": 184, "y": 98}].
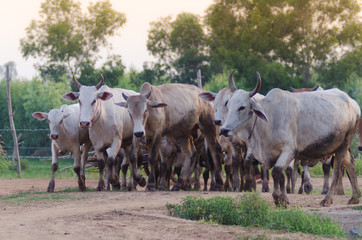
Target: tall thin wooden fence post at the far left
[{"x": 12, "y": 125}]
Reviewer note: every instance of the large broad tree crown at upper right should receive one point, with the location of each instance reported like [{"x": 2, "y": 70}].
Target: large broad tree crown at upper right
[{"x": 300, "y": 34}]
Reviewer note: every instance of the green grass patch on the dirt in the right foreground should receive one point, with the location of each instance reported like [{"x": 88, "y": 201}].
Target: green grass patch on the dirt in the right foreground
[{"x": 251, "y": 210}]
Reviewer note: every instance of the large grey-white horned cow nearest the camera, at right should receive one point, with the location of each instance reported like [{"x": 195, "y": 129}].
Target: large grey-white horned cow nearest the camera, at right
[{"x": 308, "y": 126}]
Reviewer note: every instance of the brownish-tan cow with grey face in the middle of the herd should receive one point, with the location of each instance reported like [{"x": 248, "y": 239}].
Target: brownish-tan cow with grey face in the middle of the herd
[{"x": 175, "y": 111}]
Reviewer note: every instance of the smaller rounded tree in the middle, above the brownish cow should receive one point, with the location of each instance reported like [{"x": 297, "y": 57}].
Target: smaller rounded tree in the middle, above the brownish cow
[{"x": 179, "y": 46}]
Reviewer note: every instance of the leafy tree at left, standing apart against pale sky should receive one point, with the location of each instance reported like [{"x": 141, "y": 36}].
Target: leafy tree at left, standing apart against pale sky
[{"x": 65, "y": 38}]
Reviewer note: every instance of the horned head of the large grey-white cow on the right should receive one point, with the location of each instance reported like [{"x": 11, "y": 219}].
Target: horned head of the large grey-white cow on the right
[{"x": 242, "y": 106}]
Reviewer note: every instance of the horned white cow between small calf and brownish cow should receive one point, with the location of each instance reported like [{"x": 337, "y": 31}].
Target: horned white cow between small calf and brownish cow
[{"x": 110, "y": 127}]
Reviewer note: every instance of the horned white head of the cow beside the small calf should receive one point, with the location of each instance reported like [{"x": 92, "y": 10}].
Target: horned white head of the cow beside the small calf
[{"x": 89, "y": 98}]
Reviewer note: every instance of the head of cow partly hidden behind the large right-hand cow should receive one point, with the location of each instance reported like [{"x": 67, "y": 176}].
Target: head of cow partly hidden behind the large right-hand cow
[{"x": 220, "y": 100}]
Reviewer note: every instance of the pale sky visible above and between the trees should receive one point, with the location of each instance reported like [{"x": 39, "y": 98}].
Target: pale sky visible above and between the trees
[{"x": 130, "y": 43}]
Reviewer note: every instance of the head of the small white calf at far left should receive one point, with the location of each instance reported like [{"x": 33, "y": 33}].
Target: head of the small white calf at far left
[{"x": 55, "y": 119}]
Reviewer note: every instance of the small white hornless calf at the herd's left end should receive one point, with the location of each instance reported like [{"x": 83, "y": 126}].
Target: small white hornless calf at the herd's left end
[{"x": 66, "y": 135}]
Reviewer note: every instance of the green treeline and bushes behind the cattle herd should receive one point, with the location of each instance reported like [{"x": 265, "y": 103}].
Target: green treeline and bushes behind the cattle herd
[{"x": 290, "y": 43}]
